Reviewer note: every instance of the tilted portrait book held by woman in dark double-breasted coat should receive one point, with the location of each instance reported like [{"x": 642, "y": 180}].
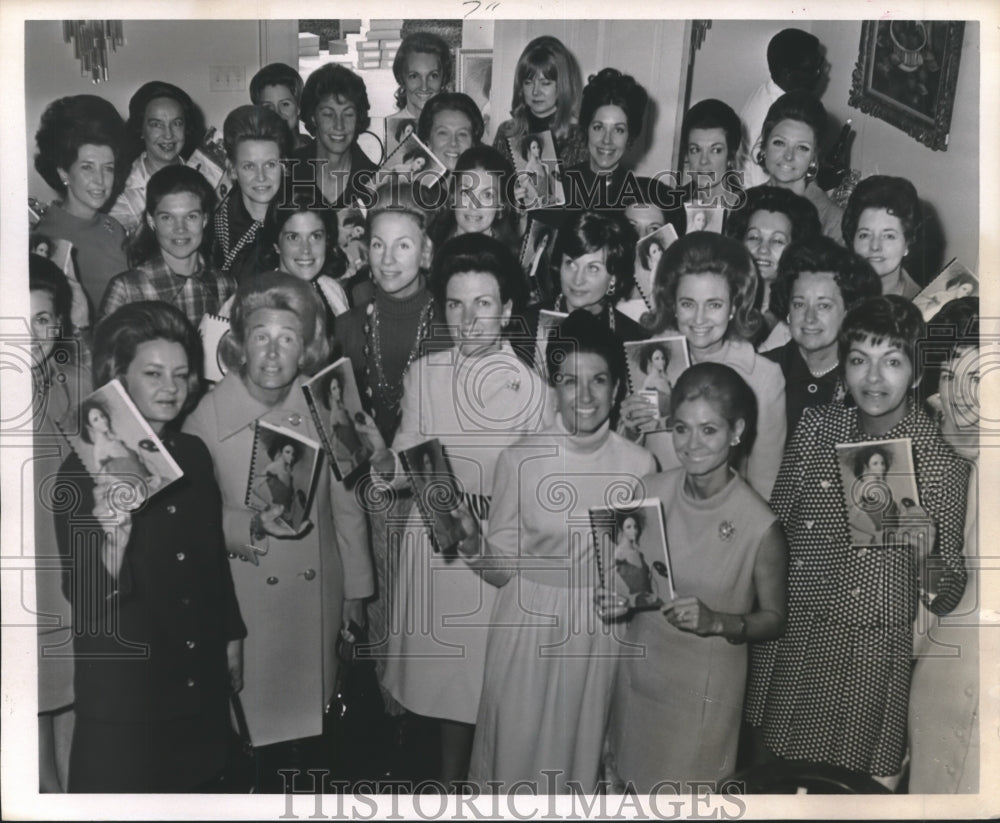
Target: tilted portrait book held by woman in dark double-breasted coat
[{"x": 111, "y": 437}]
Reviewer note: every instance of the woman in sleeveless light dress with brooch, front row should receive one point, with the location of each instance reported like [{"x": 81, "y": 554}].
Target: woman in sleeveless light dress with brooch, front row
[{"x": 675, "y": 714}]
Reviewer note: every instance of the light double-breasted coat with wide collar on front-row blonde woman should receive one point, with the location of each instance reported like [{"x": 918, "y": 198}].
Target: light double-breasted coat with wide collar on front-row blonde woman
[{"x": 292, "y": 598}]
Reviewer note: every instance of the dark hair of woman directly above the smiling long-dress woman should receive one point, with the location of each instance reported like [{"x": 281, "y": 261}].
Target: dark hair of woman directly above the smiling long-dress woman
[{"x": 589, "y": 232}]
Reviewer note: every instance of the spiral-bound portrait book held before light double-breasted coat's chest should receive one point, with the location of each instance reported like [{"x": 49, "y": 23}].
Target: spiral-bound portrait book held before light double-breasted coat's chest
[{"x": 282, "y": 470}]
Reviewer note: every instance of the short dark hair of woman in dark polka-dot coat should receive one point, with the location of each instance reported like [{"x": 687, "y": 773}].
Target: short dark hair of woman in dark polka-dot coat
[{"x": 889, "y": 318}]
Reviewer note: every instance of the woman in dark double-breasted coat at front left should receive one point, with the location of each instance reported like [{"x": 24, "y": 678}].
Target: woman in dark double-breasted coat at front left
[{"x": 158, "y": 633}]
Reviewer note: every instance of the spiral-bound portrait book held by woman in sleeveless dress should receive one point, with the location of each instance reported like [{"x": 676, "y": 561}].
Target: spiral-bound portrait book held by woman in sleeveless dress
[{"x": 633, "y": 558}]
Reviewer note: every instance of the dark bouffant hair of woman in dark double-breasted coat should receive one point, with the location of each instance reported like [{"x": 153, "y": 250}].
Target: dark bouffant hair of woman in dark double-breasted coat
[{"x": 119, "y": 335}]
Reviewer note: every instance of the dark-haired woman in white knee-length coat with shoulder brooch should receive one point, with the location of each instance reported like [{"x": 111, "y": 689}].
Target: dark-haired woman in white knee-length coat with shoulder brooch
[{"x": 476, "y": 398}]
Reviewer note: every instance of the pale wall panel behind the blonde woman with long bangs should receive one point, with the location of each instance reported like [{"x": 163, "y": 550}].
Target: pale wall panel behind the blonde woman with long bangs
[{"x": 659, "y": 66}]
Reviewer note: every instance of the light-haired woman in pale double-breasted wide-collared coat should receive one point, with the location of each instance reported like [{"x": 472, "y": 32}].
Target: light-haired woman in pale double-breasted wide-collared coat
[{"x": 313, "y": 578}]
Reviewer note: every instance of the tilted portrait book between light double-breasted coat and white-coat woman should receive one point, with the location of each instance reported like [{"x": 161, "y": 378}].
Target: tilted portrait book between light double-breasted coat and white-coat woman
[{"x": 335, "y": 404}]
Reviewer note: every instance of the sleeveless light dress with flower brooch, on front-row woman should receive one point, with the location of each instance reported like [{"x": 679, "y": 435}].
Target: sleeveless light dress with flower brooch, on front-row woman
[{"x": 678, "y": 698}]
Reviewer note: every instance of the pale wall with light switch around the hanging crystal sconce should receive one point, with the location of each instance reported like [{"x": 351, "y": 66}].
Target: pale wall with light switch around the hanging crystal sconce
[{"x": 179, "y": 52}]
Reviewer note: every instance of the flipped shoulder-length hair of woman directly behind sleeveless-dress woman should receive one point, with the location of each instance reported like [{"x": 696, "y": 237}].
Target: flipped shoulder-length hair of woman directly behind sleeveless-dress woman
[{"x": 705, "y": 252}]
